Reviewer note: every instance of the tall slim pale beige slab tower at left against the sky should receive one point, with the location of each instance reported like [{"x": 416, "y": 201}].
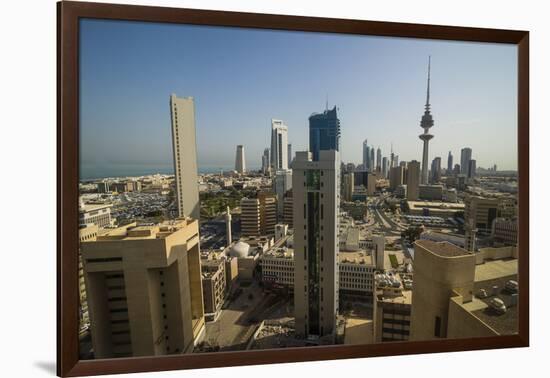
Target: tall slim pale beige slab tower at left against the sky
[{"x": 184, "y": 144}]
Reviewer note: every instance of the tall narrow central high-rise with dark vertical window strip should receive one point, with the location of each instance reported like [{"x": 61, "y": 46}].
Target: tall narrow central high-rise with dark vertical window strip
[{"x": 316, "y": 204}]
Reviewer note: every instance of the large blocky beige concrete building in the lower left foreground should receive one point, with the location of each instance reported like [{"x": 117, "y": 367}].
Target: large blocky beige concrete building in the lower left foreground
[{"x": 144, "y": 289}]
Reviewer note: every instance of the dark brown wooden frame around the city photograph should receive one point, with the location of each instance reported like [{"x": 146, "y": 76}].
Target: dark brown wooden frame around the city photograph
[{"x": 69, "y": 13}]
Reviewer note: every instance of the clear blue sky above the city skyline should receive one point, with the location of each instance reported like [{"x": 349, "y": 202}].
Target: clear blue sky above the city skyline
[{"x": 241, "y": 78}]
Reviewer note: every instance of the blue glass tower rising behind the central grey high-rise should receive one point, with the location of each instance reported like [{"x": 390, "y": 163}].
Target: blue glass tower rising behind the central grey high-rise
[{"x": 324, "y": 132}]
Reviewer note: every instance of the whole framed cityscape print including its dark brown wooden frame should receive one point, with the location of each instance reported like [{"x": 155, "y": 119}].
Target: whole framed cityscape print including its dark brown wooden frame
[{"x": 239, "y": 188}]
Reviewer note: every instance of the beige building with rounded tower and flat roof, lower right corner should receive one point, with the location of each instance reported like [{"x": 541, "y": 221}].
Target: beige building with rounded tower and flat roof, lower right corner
[{"x": 458, "y": 294}]
